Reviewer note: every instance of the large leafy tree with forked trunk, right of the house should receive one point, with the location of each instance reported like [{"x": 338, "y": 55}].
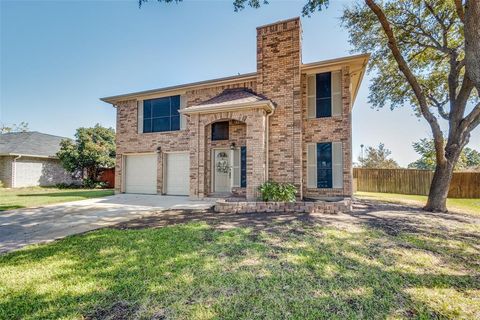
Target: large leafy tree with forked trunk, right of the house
[{"x": 425, "y": 53}]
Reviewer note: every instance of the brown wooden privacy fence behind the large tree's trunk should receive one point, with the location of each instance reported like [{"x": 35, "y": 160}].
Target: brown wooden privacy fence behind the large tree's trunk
[{"x": 410, "y": 181}]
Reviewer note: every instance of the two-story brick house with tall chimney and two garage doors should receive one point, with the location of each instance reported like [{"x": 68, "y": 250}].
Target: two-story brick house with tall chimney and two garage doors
[{"x": 287, "y": 122}]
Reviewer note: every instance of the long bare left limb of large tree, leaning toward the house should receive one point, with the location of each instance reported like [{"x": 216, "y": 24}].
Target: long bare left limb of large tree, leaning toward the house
[{"x": 412, "y": 80}]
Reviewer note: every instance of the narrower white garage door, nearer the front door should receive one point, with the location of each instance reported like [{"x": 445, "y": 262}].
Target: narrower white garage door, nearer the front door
[{"x": 177, "y": 173}]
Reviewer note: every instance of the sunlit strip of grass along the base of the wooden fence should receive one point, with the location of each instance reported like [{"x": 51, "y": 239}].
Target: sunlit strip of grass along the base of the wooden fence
[{"x": 469, "y": 206}]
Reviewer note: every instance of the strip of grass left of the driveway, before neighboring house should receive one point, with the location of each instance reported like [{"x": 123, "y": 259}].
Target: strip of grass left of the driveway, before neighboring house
[{"x": 37, "y": 196}]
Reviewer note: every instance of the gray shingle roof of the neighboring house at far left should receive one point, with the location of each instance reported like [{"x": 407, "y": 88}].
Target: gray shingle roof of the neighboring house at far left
[{"x": 30, "y": 143}]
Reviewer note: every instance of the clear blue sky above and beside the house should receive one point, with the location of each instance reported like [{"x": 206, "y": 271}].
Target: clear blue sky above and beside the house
[{"x": 57, "y": 58}]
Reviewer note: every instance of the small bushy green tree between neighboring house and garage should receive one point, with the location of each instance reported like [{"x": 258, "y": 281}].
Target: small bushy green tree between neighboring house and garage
[{"x": 92, "y": 150}]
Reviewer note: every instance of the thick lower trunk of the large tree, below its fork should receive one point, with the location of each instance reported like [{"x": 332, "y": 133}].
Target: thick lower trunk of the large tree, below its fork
[{"x": 437, "y": 197}]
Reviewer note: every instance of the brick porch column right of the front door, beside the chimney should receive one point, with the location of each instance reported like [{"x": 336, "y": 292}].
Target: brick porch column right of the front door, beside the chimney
[{"x": 256, "y": 126}]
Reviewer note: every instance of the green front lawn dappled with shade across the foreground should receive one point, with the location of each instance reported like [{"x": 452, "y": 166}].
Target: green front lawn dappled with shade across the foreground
[{"x": 297, "y": 270}]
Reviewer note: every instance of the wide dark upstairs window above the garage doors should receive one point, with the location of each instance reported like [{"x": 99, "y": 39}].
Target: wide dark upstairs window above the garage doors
[{"x": 161, "y": 114}]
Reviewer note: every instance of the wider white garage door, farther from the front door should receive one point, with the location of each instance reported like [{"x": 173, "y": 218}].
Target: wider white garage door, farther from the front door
[{"x": 141, "y": 173}]
